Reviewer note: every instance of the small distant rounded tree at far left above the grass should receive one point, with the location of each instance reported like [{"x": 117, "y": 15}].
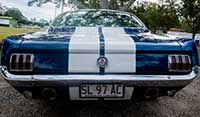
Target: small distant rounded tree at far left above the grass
[{"x": 16, "y": 14}]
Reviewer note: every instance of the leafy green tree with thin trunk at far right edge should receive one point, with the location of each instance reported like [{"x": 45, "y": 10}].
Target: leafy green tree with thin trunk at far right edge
[{"x": 190, "y": 13}]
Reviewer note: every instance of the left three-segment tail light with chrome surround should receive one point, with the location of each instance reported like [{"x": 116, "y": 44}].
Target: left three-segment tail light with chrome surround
[{"x": 21, "y": 62}]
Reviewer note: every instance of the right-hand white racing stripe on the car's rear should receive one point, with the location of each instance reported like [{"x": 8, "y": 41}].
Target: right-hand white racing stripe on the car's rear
[{"x": 120, "y": 50}]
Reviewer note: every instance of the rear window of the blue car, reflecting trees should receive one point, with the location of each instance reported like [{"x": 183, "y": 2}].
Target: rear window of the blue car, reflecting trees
[{"x": 97, "y": 18}]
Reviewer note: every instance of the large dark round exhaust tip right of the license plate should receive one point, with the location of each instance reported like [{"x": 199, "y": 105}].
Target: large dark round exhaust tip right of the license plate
[{"x": 151, "y": 93}]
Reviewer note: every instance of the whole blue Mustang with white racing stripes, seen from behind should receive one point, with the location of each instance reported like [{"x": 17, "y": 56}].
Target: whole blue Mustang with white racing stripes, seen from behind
[{"x": 98, "y": 55}]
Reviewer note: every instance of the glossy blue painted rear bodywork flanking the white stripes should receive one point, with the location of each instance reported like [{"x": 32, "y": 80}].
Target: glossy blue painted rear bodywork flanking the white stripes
[{"x": 51, "y": 51}]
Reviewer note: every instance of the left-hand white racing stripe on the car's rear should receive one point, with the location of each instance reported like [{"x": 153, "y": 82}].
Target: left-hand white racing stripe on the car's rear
[{"x": 84, "y": 50}]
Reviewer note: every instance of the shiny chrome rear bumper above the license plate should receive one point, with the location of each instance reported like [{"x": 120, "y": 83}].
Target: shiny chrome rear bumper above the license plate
[{"x": 75, "y": 80}]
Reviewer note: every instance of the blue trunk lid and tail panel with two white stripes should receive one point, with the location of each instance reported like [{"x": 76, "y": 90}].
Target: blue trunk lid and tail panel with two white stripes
[{"x": 78, "y": 51}]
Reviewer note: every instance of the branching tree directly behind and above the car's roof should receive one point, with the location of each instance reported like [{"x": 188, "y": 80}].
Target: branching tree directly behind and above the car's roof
[{"x": 95, "y": 4}]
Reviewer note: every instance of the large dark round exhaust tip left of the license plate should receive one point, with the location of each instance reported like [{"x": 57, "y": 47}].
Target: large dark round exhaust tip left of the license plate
[{"x": 49, "y": 93}]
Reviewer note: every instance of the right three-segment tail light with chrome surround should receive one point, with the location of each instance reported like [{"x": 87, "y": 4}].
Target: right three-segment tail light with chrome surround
[{"x": 179, "y": 63}]
